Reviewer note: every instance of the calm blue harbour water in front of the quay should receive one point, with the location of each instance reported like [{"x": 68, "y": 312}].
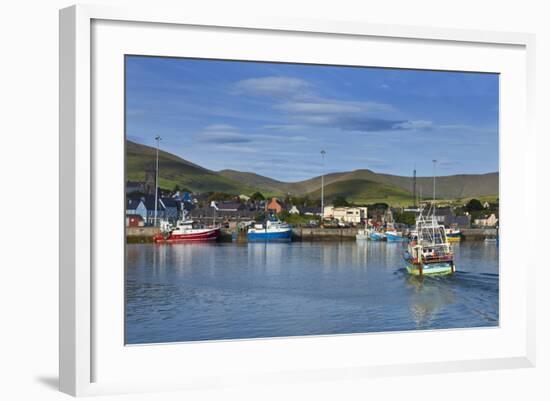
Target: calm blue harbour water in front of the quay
[{"x": 187, "y": 292}]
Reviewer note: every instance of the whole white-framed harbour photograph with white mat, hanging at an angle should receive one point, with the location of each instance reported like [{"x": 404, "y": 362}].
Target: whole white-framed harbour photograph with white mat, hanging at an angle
[{"x": 278, "y": 200}]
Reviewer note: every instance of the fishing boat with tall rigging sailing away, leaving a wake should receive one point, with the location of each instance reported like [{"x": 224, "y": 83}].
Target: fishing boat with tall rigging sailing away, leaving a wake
[{"x": 429, "y": 252}]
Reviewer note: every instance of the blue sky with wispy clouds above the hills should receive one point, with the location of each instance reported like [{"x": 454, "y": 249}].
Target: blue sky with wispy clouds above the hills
[{"x": 274, "y": 119}]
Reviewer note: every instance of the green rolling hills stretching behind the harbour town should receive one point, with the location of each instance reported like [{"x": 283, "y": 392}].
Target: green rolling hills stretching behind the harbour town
[{"x": 359, "y": 186}]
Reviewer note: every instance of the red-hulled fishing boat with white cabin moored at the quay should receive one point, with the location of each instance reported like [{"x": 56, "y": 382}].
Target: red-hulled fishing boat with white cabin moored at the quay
[{"x": 186, "y": 230}]
